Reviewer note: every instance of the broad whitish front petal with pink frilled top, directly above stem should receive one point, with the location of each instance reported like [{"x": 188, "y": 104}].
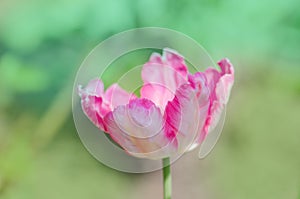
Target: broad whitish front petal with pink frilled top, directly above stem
[{"x": 139, "y": 128}]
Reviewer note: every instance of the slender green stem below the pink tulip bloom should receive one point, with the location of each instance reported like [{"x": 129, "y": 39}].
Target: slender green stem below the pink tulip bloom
[{"x": 167, "y": 178}]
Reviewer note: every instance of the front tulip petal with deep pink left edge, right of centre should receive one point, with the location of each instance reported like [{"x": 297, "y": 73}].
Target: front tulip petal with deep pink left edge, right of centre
[{"x": 185, "y": 116}]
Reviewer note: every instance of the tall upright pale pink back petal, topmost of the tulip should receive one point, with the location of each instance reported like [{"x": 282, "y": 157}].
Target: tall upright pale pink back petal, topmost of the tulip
[{"x": 162, "y": 75}]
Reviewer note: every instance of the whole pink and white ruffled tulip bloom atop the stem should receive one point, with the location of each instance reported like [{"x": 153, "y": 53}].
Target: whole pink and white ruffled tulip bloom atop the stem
[{"x": 176, "y": 109}]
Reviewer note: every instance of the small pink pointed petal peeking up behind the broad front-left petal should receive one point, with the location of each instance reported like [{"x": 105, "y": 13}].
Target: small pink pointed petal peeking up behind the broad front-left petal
[{"x": 115, "y": 96}]
